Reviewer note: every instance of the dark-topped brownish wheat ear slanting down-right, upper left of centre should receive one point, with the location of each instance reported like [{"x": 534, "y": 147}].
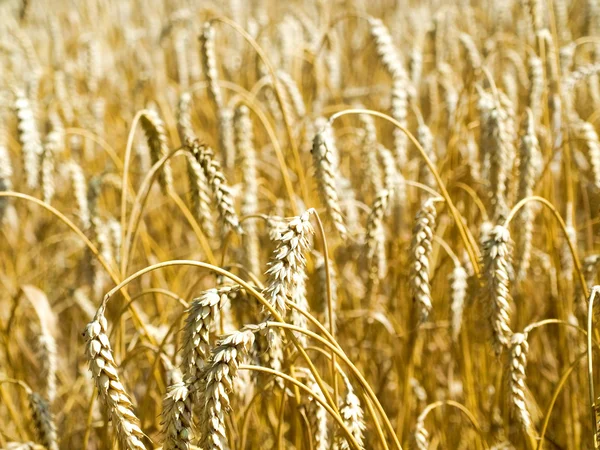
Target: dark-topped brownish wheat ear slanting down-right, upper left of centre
[{"x": 218, "y": 184}]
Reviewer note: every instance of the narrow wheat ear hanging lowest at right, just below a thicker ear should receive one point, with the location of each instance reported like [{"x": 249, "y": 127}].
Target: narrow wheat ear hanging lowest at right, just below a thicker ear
[{"x": 516, "y": 380}]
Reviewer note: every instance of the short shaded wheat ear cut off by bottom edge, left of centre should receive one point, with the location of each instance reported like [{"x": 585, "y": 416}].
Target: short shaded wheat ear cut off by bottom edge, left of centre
[{"x": 177, "y": 417}]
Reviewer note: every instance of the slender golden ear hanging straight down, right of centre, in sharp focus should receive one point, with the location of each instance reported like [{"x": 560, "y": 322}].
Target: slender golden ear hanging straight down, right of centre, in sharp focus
[{"x": 420, "y": 254}]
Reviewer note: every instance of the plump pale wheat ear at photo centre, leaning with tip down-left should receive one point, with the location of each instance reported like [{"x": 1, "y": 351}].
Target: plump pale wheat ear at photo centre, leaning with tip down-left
[{"x": 288, "y": 261}]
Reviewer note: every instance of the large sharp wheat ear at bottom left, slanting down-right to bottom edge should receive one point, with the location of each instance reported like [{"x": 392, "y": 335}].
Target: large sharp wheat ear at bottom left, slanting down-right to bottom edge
[{"x": 110, "y": 390}]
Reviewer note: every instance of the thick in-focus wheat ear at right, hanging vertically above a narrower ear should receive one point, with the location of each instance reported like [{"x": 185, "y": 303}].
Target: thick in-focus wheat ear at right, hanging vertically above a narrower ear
[{"x": 495, "y": 254}]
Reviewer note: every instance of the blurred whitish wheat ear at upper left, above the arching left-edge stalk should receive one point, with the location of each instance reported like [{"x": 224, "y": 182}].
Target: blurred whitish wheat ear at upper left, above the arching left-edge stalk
[{"x": 29, "y": 138}]
